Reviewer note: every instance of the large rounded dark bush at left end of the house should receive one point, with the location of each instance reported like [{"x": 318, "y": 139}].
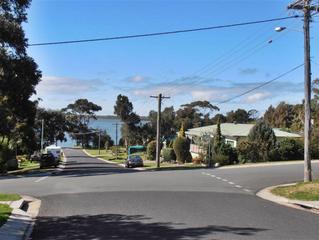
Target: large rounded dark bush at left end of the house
[{"x": 181, "y": 148}]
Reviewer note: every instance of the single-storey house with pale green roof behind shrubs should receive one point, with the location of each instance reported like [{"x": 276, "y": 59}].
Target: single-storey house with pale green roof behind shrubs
[{"x": 232, "y": 132}]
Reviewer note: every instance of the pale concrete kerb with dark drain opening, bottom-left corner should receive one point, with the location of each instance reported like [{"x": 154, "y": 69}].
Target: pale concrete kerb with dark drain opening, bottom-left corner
[{"x": 20, "y": 223}]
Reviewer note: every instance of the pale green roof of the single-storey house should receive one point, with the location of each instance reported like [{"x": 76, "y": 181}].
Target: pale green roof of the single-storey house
[{"x": 235, "y": 130}]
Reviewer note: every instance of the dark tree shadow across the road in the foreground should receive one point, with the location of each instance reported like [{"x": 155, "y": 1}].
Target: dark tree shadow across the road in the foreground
[{"x": 116, "y": 226}]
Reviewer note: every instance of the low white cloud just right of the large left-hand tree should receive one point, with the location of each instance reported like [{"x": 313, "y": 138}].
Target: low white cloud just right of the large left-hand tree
[{"x": 66, "y": 86}]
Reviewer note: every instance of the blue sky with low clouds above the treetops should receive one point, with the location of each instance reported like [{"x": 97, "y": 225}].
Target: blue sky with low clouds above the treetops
[{"x": 213, "y": 65}]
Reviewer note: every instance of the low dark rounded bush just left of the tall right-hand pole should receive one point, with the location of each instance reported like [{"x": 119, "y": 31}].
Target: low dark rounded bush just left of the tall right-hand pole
[{"x": 290, "y": 149}]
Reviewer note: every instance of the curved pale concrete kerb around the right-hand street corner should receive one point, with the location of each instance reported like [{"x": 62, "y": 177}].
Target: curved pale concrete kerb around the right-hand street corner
[{"x": 312, "y": 206}]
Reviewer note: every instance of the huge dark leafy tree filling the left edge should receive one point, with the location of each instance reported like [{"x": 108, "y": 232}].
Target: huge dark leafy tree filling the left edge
[{"x": 19, "y": 75}]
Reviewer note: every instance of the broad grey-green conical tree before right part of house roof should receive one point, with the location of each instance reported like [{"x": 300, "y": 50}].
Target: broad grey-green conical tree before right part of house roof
[{"x": 264, "y": 139}]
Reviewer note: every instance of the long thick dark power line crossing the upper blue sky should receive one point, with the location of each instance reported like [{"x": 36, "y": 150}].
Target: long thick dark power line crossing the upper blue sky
[{"x": 163, "y": 33}]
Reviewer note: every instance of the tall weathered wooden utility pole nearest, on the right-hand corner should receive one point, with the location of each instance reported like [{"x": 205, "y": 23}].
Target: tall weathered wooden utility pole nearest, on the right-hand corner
[{"x": 307, "y": 8}]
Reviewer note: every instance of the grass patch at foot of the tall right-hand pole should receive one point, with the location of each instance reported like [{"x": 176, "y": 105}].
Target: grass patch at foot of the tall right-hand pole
[{"x": 301, "y": 191}]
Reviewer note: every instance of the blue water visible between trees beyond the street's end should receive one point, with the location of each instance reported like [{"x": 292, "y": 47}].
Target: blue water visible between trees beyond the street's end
[{"x": 100, "y": 123}]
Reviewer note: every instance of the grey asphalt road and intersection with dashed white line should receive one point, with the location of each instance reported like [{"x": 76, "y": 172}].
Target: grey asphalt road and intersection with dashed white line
[{"x": 91, "y": 199}]
